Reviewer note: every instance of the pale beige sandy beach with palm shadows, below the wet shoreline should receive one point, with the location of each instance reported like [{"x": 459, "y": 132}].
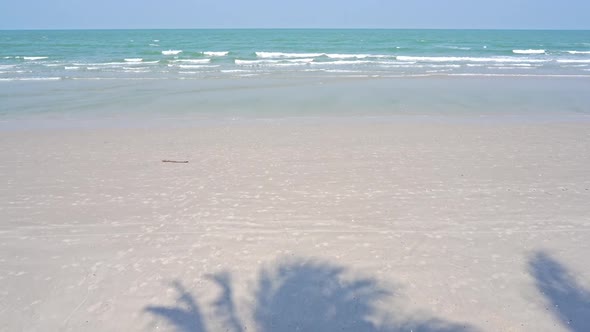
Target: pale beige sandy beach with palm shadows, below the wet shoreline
[{"x": 284, "y": 226}]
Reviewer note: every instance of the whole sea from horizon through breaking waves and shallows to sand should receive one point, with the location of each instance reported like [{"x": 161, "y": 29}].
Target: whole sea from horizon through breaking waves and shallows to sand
[{"x": 189, "y": 77}]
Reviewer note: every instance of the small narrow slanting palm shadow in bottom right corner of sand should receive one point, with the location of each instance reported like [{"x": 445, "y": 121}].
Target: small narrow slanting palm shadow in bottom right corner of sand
[{"x": 570, "y": 302}]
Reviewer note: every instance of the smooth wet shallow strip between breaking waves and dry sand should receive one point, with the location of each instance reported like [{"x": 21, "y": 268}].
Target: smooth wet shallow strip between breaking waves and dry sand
[{"x": 129, "y": 103}]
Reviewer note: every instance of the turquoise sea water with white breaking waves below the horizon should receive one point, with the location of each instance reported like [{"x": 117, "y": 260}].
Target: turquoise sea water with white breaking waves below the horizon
[{"x": 197, "y": 54}]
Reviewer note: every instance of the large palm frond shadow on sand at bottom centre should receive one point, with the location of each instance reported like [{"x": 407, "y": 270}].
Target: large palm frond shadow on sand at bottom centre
[{"x": 302, "y": 295}]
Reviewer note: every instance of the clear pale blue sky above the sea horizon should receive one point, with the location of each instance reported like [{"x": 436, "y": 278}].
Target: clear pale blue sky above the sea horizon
[{"x": 438, "y": 14}]
